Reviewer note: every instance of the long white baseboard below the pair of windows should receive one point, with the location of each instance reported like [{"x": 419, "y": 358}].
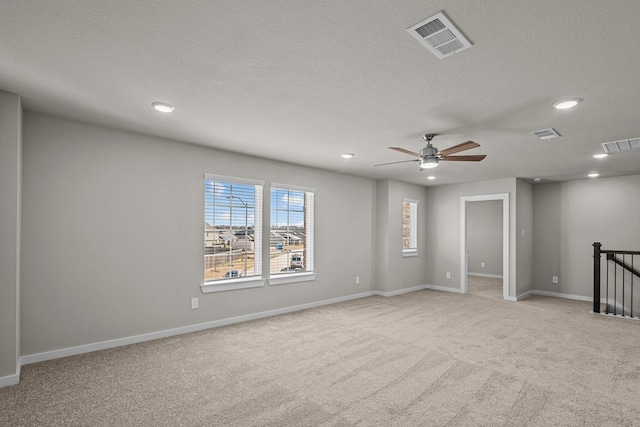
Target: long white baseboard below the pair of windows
[{"x": 103, "y": 345}]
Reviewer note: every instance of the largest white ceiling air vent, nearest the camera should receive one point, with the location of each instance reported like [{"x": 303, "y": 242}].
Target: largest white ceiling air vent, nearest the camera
[{"x": 439, "y": 35}]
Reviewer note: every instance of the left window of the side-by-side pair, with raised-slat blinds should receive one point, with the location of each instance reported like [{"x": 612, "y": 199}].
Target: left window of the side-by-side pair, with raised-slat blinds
[{"x": 232, "y": 232}]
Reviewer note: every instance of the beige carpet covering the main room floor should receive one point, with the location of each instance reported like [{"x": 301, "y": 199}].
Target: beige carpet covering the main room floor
[{"x": 419, "y": 359}]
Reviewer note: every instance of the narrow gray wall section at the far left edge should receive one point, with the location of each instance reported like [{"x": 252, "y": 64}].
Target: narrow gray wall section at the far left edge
[{"x": 10, "y": 196}]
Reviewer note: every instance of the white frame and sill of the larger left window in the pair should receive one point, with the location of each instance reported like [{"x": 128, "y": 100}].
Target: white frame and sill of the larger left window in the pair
[{"x": 257, "y": 280}]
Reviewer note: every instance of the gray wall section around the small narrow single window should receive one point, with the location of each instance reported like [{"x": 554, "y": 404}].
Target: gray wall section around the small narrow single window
[{"x": 393, "y": 271}]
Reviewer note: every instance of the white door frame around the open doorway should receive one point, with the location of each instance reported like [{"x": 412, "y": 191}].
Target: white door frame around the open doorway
[{"x": 505, "y": 239}]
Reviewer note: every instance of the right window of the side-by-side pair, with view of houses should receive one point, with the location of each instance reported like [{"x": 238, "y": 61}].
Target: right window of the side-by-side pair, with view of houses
[{"x": 291, "y": 232}]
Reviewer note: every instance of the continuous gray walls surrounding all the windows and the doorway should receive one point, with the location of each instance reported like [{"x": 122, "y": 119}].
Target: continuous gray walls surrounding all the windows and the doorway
[{"x": 112, "y": 234}]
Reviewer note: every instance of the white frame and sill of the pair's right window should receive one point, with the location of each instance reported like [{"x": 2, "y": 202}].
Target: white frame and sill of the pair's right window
[{"x": 309, "y": 273}]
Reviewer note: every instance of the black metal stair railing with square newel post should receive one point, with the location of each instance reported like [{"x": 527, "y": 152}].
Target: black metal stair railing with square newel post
[{"x": 619, "y": 284}]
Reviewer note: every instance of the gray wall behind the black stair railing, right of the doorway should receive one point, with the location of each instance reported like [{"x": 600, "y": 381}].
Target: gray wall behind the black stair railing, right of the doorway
[{"x": 569, "y": 217}]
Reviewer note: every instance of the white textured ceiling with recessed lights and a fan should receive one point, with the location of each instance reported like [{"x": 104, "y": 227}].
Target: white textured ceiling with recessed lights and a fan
[{"x": 304, "y": 80}]
